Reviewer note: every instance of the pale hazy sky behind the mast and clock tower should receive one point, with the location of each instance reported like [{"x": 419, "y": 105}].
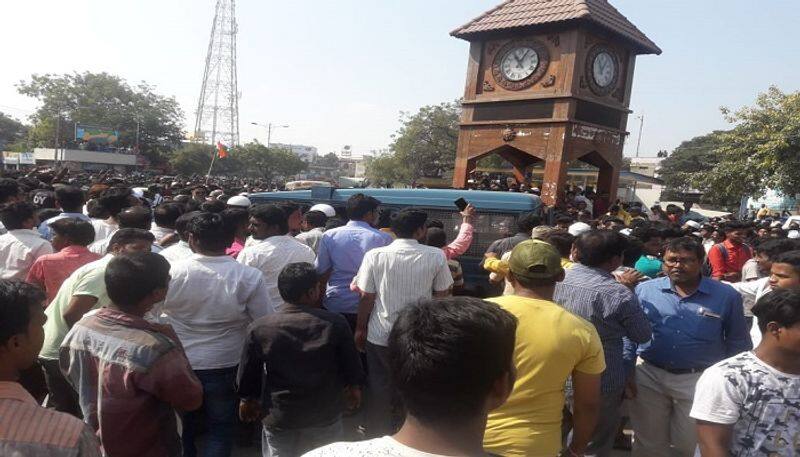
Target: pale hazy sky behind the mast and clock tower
[{"x": 341, "y": 72}]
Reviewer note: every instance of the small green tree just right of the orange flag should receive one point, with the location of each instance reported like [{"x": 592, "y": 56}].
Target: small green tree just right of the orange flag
[{"x": 268, "y": 163}]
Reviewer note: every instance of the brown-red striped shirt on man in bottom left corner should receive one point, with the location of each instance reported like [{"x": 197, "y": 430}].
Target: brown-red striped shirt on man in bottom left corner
[{"x": 27, "y": 429}]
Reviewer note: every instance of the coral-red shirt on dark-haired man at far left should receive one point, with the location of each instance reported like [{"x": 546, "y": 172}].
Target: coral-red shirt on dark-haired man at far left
[{"x": 49, "y": 271}]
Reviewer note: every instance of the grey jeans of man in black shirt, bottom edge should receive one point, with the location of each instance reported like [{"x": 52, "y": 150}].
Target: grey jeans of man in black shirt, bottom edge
[{"x": 296, "y": 442}]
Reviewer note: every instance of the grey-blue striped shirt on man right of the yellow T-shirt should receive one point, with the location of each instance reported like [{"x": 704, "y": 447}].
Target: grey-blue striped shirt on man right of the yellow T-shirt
[{"x": 613, "y": 309}]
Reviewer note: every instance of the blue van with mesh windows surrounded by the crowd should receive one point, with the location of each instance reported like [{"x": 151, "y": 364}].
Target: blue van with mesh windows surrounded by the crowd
[{"x": 496, "y": 215}]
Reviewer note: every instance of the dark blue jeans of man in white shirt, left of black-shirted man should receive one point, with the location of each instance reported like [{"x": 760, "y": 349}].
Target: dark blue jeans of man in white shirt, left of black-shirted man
[{"x": 219, "y": 410}]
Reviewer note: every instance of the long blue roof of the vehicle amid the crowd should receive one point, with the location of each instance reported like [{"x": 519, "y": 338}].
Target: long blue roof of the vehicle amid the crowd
[{"x": 431, "y": 198}]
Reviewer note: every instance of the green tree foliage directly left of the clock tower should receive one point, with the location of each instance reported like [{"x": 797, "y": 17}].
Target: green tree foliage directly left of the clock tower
[{"x": 423, "y": 147}]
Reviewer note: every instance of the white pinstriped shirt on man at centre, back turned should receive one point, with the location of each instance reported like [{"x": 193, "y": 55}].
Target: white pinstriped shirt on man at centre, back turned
[{"x": 400, "y": 274}]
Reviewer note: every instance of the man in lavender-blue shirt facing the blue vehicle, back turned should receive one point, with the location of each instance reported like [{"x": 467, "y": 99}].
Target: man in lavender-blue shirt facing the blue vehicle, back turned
[{"x": 341, "y": 251}]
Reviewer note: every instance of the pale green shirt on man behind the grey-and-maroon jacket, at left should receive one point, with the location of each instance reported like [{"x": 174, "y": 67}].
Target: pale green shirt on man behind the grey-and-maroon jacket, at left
[{"x": 86, "y": 280}]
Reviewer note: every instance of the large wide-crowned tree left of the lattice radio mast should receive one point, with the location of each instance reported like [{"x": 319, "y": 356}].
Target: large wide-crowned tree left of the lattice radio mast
[{"x": 105, "y": 100}]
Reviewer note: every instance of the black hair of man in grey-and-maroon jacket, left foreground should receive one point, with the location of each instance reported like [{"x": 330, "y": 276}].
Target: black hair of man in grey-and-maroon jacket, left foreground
[{"x": 130, "y": 278}]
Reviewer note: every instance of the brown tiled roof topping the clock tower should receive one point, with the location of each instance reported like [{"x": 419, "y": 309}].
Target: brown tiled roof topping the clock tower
[{"x": 515, "y": 14}]
